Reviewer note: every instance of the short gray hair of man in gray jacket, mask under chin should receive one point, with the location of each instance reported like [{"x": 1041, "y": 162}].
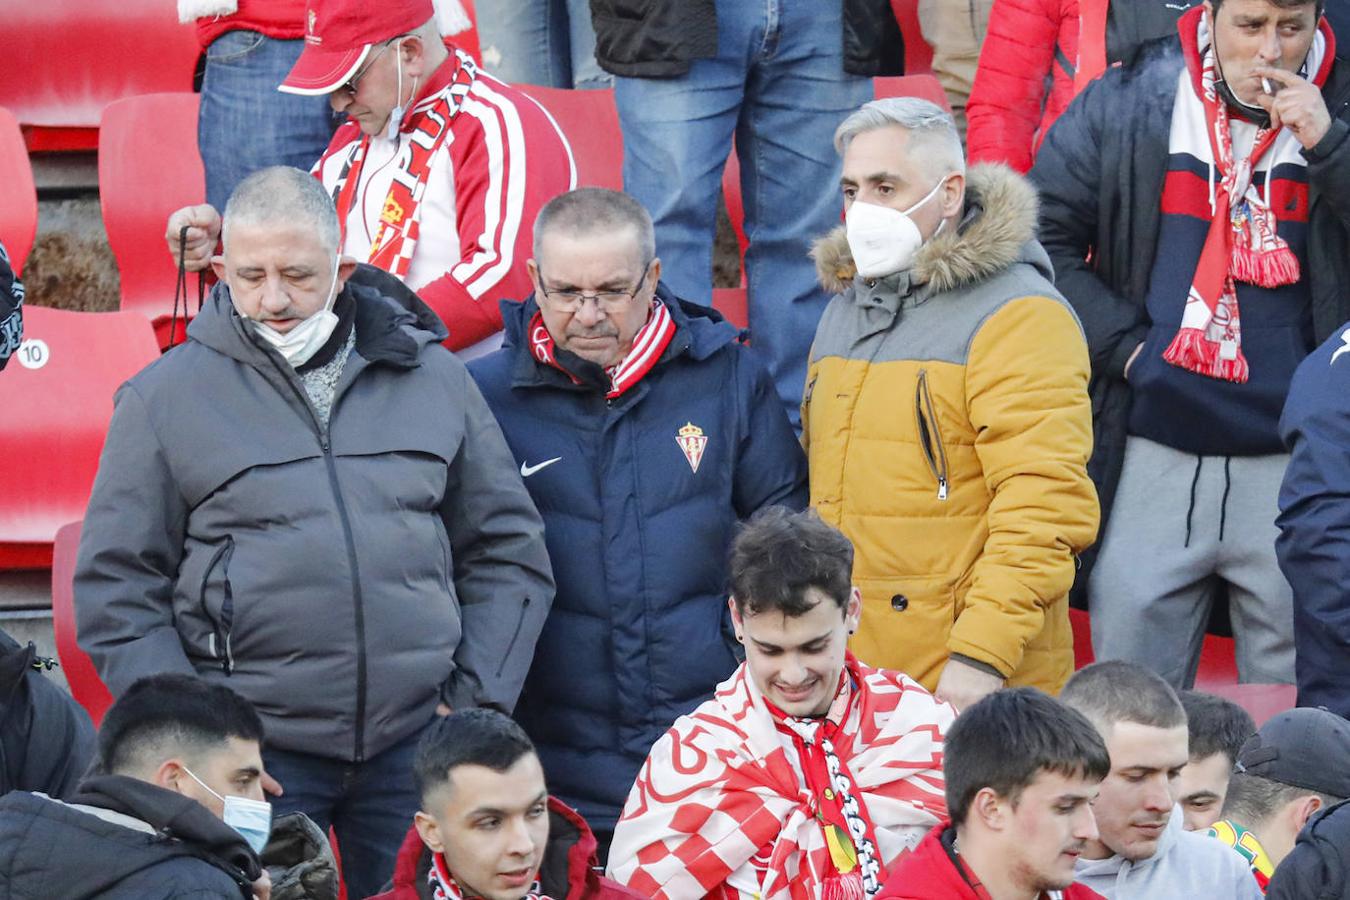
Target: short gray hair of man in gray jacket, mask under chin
[{"x": 283, "y": 196}]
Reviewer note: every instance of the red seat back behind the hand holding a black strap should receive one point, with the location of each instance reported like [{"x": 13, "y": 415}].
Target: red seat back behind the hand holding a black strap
[{"x": 148, "y": 168}]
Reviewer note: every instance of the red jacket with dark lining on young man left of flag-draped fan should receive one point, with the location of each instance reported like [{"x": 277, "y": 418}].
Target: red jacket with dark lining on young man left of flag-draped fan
[{"x": 568, "y": 872}]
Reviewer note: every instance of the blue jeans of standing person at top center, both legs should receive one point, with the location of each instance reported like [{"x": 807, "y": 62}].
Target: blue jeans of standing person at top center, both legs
[{"x": 778, "y": 84}]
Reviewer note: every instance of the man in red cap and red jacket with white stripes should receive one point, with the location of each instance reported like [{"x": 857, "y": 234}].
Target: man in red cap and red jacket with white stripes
[{"x": 433, "y": 145}]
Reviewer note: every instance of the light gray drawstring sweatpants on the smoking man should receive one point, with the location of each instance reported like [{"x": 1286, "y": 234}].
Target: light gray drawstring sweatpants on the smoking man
[{"x": 1181, "y": 527}]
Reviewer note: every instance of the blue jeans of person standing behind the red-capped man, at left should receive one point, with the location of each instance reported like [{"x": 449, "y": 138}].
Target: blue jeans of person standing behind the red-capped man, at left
[{"x": 248, "y": 125}]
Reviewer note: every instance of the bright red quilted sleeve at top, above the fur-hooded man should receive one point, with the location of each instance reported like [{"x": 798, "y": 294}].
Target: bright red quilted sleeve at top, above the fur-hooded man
[{"x": 1012, "y": 83}]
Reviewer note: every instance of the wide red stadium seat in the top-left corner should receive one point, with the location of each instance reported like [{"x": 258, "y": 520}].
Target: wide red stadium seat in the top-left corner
[{"x": 67, "y": 60}]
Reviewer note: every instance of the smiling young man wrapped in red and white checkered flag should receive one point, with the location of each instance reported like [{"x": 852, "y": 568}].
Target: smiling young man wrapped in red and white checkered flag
[{"x": 809, "y": 775}]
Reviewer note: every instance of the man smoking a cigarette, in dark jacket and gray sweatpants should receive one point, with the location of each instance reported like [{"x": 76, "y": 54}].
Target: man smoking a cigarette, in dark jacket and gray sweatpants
[{"x": 1229, "y": 149}]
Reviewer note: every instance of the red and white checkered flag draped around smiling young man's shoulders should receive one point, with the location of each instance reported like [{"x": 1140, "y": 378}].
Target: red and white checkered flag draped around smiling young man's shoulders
[{"x": 727, "y": 793}]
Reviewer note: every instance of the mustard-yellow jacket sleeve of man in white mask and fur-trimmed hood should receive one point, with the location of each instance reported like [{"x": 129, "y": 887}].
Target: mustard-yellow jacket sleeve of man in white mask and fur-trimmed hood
[{"x": 1028, "y": 400}]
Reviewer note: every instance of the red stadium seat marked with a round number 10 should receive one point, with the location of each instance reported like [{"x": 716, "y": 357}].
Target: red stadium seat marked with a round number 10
[{"x": 57, "y": 395}]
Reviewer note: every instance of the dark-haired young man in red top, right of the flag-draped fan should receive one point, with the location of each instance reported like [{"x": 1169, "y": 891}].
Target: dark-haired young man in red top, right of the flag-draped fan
[{"x": 1023, "y": 771}]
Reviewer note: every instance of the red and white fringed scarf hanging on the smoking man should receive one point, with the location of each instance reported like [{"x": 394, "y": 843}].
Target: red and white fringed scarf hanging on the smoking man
[{"x": 1243, "y": 244}]
